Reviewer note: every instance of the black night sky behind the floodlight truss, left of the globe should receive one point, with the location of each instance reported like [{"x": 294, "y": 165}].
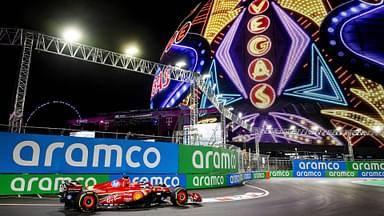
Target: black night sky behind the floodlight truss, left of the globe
[{"x": 89, "y": 87}]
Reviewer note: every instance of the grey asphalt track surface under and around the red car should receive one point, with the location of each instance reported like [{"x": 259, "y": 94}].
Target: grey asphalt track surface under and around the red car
[{"x": 336, "y": 197}]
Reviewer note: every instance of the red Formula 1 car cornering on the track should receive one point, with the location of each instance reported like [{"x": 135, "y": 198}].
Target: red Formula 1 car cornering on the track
[{"x": 122, "y": 193}]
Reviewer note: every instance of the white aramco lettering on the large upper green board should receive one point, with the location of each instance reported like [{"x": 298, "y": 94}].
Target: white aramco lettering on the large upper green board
[{"x": 220, "y": 160}]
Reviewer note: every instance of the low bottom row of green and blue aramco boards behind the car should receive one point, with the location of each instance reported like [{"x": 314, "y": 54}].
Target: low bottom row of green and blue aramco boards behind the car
[{"x": 28, "y": 184}]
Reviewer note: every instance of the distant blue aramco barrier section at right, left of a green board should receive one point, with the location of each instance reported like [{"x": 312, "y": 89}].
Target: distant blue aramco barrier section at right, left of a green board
[{"x": 316, "y": 168}]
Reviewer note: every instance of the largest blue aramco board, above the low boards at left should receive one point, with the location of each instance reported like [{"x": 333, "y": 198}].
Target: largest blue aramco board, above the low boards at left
[{"x": 26, "y": 153}]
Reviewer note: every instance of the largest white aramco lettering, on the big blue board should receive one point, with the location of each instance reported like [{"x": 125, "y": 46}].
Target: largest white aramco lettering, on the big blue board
[{"x": 35, "y": 154}]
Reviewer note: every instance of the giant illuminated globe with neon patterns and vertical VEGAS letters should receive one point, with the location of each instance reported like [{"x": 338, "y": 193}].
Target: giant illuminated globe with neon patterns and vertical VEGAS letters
[{"x": 287, "y": 65}]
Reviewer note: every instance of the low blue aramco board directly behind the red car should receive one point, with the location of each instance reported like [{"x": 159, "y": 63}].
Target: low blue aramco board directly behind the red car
[{"x": 170, "y": 180}]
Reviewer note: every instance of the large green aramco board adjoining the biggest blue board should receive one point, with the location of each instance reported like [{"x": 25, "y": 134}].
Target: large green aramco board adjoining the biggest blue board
[{"x": 198, "y": 160}]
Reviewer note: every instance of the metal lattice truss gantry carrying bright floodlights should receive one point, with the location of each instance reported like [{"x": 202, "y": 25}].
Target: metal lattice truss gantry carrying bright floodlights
[{"x": 31, "y": 40}]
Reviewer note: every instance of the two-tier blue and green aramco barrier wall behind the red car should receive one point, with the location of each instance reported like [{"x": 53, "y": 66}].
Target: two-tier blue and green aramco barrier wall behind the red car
[{"x": 27, "y": 162}]
